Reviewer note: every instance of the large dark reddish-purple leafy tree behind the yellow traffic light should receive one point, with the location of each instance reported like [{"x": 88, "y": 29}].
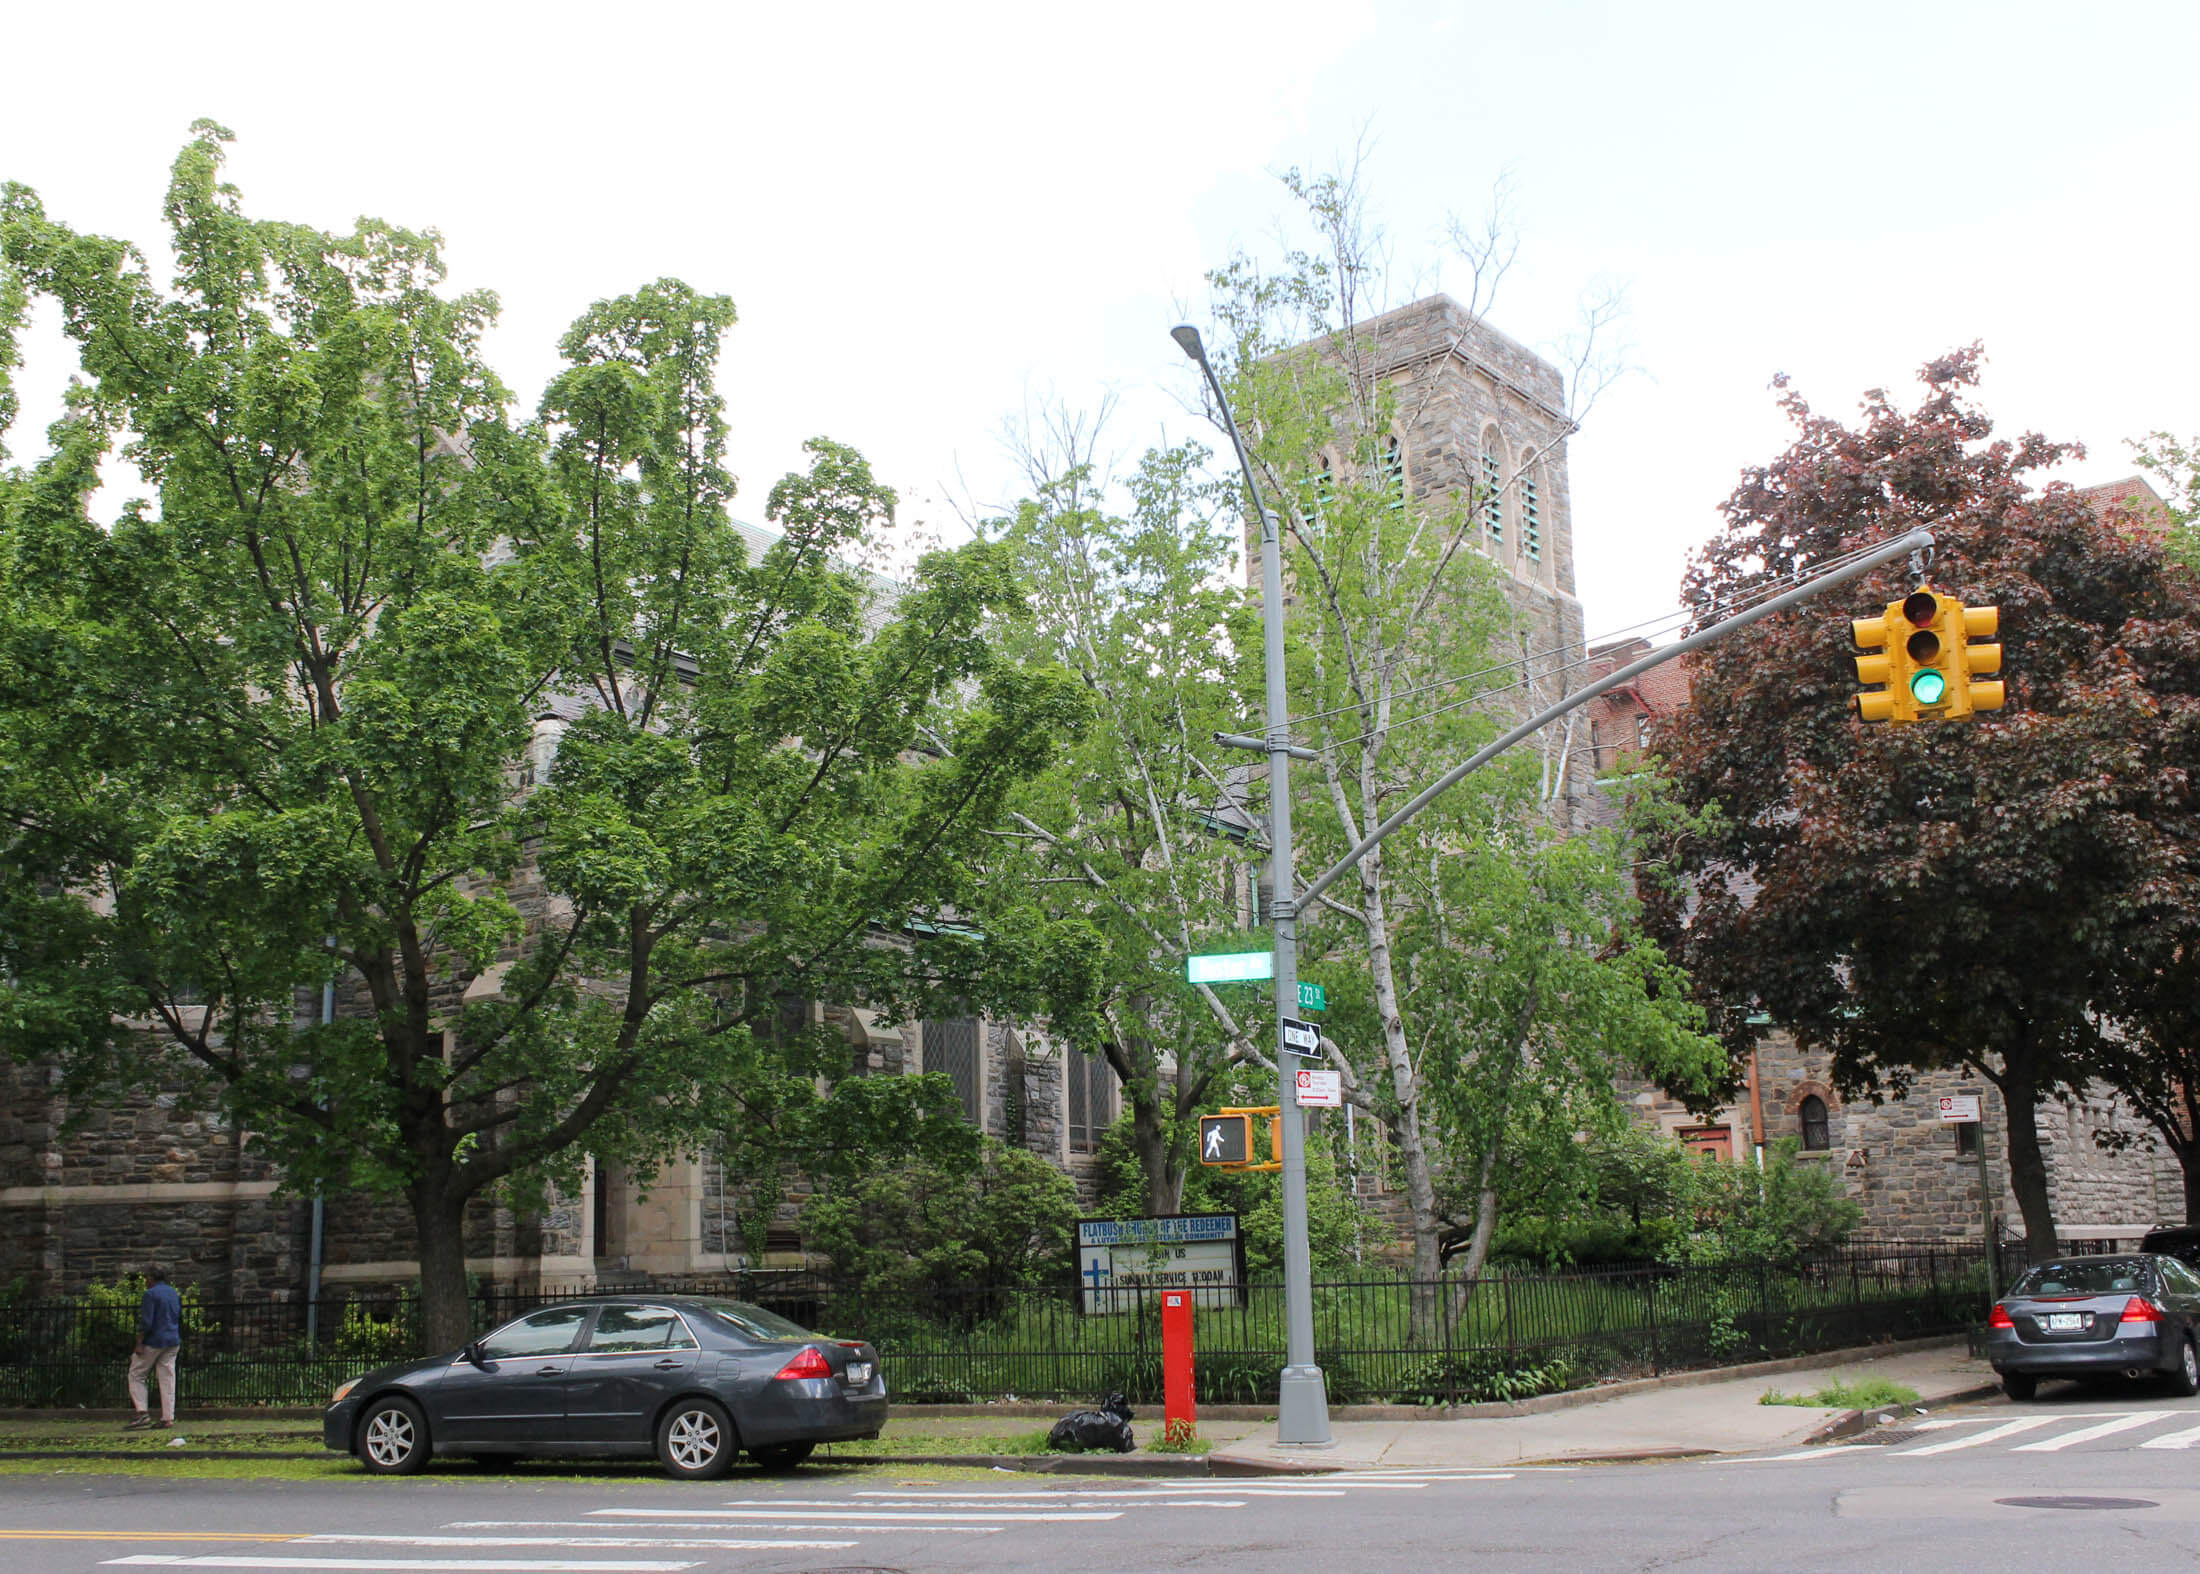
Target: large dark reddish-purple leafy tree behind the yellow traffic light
[{"x": 1939, "y": 895}]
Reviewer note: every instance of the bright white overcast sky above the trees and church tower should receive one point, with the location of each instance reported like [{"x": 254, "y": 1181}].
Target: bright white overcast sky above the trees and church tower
[{"x": 932, "y": 215}]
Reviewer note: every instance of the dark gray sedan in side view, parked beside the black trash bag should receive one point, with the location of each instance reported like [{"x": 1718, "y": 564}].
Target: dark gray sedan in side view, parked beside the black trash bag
[{"x": 692, "y": 1379}]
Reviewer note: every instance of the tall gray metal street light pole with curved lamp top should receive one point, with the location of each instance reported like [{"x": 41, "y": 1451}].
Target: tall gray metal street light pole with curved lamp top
[{"x": 1303, "y": 1399}]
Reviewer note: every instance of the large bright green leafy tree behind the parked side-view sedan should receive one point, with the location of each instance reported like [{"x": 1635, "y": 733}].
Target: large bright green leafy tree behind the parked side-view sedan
[{"x": 291, "y": 721}]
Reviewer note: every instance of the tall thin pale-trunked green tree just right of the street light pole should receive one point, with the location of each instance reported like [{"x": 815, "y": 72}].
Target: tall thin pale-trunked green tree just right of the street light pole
[{"x": 1488, "y": 976}]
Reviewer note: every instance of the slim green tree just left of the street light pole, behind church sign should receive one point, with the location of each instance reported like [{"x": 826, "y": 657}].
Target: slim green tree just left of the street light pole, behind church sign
[{"x": 1141, "y": 831}]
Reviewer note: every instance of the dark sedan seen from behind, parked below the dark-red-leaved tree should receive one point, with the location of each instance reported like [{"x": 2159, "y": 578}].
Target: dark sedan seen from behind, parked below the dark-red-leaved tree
[{"x": 2098, "y": 1318}]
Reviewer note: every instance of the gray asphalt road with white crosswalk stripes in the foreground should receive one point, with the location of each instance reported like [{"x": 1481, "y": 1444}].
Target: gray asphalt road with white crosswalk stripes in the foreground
[{"x": 2080, "y": 1478}]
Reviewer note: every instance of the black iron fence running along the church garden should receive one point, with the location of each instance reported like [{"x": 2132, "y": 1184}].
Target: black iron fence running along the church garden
[{"x": 1378, "y": 1340}]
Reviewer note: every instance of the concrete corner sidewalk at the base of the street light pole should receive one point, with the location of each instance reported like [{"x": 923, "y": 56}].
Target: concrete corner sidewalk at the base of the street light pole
[{"x": 1719, "y": 1417}]
